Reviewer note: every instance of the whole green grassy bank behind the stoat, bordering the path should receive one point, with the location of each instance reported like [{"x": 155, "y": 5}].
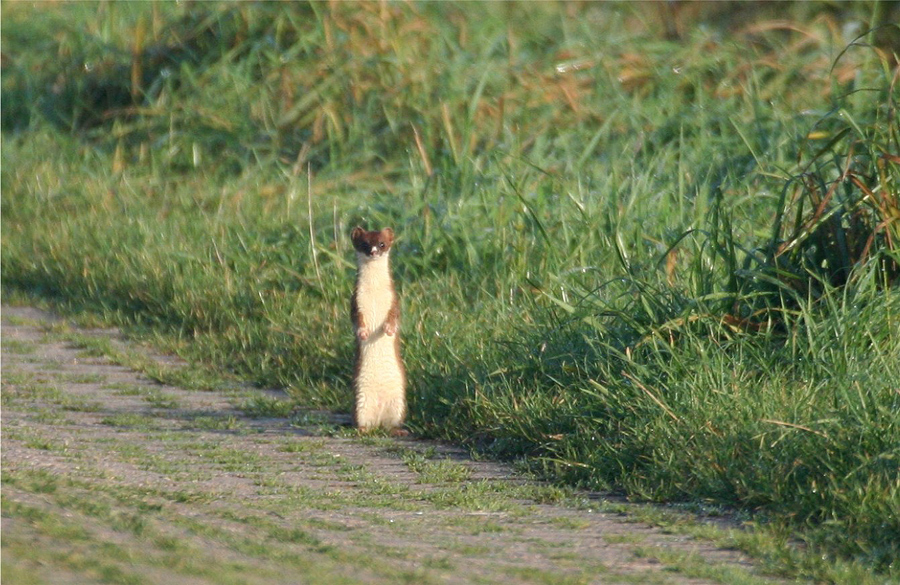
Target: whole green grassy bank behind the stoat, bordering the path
[{"x": 657, "y": 261}]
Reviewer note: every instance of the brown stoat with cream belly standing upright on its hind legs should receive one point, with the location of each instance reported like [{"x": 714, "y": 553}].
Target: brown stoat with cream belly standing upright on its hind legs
[{"x": 379, "y": 380}]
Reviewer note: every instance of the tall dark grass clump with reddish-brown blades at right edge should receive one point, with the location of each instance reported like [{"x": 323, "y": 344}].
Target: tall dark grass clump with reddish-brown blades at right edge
[{"x": 838, "y": 211}]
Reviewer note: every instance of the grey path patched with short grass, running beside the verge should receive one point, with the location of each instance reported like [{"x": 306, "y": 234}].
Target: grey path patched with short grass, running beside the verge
[{"x": 110, "y": 477}]
